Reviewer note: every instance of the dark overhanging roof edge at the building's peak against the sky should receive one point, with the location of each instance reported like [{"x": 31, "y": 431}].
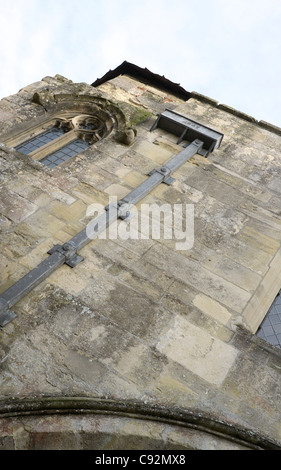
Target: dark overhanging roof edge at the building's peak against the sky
[{"x": 145, "y": 76}]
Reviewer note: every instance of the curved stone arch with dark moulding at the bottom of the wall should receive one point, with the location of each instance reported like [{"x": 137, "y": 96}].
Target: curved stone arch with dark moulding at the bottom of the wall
[{"x": 73, "y": 423}]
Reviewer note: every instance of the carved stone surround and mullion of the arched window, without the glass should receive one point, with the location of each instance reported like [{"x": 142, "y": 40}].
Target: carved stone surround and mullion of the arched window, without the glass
[{"x": 73, "y": 108}]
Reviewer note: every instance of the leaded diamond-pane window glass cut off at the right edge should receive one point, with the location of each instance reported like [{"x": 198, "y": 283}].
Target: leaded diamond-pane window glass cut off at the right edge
[{"x": 270, "y": 329}]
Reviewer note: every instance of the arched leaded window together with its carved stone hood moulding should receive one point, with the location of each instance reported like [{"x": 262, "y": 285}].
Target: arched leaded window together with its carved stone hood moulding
[{"x": 87, "y": 118}]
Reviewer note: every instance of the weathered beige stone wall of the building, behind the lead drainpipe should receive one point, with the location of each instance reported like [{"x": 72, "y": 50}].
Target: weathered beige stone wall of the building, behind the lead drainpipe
[{"x": 149, "y": 340}]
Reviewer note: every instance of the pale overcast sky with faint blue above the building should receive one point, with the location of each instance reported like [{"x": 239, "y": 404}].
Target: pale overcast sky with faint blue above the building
[{"x": 226, "y": 49}]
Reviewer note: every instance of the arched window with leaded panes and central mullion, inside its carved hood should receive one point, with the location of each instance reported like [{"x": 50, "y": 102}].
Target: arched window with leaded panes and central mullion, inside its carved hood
[{"x": 62, "y": 138}]
